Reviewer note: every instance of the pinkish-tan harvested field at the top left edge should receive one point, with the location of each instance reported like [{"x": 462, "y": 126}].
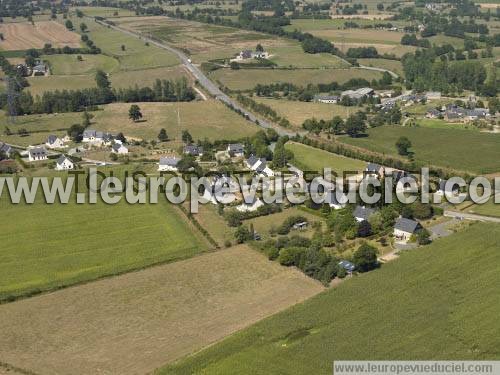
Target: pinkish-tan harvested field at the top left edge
[{"x": 21, "y": 36}]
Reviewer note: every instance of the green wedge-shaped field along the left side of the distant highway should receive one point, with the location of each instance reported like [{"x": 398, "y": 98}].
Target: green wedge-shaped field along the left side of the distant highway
[{"x": 137, "y": 55}]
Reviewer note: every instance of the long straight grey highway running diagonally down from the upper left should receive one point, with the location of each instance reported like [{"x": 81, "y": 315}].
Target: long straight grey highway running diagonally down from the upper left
[{"x": 202, "y": 79}]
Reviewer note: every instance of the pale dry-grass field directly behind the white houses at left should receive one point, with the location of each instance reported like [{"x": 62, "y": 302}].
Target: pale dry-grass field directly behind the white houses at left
[{"x": 216, "y": 121}]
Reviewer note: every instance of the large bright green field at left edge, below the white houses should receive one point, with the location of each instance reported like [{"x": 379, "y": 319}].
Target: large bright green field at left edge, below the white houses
[{"x": 62, "y": 244}]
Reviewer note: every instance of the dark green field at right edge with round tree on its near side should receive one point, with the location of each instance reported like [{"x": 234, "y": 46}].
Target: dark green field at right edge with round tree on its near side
[{"x": 441, "y": 147}]
